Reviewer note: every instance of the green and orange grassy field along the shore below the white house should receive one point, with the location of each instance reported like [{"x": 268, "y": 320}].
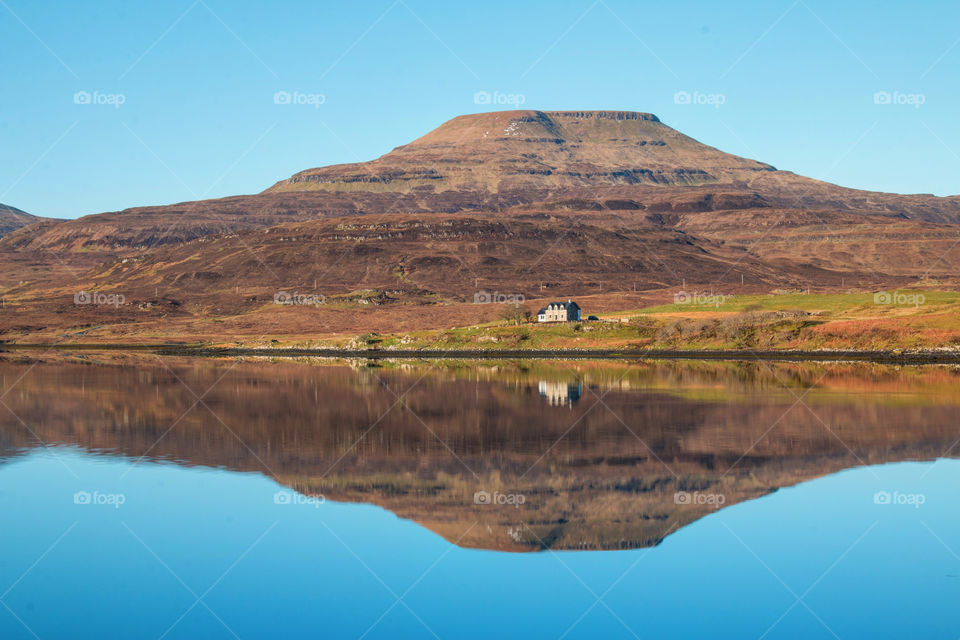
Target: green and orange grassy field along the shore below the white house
[{"x": 906, "y": 319}]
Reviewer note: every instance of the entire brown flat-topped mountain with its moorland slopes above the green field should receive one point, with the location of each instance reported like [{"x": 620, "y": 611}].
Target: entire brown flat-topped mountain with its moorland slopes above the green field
[{"x": 526, "y": 203}]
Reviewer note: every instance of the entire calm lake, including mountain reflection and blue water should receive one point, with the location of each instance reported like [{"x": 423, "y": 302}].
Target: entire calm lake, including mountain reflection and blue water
[{"x": 146, "y": 497}]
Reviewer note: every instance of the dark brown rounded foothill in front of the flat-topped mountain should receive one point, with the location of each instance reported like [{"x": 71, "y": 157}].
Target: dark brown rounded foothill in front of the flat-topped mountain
[{"x": 443, "y": 257}]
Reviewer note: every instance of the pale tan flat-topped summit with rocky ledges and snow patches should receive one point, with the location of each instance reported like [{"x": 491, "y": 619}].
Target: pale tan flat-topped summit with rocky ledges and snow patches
[{"x": 531, "y": 150}]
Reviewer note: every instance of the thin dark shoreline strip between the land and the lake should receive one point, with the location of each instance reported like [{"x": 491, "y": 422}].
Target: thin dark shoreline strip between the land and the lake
[{"x": 917, "y": 357}]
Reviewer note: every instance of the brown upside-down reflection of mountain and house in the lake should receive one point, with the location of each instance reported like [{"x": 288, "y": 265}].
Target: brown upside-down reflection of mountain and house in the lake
[{"x": 565, "y": 455}]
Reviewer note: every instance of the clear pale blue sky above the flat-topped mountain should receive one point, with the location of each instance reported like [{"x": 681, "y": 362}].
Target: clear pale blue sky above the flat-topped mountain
[{"x": 197, "y": 79}]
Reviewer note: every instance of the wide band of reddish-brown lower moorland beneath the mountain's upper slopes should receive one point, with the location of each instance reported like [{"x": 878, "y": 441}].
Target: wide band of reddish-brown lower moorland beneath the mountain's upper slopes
[{"x": 403, "y": 273}]
